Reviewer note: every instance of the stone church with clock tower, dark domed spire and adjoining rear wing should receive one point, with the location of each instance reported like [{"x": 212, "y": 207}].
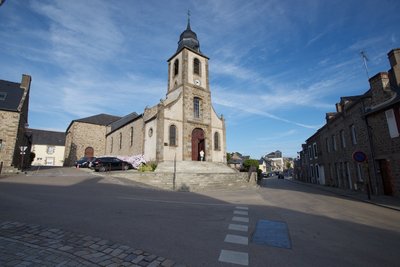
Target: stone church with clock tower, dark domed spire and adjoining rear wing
[{"x": 183, "y": 126}]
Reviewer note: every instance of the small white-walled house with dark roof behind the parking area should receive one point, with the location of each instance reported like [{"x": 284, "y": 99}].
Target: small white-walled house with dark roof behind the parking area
[{"x": 48, "y": 147}]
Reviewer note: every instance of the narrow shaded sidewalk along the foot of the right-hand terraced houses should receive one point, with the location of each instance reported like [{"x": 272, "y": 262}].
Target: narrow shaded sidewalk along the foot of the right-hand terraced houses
[{"x": 383, "y": 201}]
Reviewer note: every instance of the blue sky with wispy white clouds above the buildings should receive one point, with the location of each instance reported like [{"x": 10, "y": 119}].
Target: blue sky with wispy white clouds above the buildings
[{"x": 276, "y": 66}]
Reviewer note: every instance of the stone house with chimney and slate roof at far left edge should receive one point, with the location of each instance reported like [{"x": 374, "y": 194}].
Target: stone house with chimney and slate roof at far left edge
[{"x": 14, "y": 105}]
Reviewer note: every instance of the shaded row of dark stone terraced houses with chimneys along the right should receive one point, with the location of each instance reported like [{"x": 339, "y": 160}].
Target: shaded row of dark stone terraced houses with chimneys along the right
[{"x": 367, "y": 124}]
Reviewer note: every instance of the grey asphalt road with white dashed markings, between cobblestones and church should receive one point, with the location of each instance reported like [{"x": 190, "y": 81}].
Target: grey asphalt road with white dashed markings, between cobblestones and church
[{"x": 194, "y": 228}]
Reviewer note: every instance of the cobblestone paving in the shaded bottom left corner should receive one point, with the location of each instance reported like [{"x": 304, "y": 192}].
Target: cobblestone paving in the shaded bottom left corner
[{"x": 34, "y": 245}]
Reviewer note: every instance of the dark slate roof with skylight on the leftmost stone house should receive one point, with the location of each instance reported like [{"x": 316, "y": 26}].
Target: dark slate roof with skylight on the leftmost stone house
[{"x": 13, "y": 94}]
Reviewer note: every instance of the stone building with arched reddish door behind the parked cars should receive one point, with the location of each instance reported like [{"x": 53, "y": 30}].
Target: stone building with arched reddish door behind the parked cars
[{"x": 87, "y": 137}]
